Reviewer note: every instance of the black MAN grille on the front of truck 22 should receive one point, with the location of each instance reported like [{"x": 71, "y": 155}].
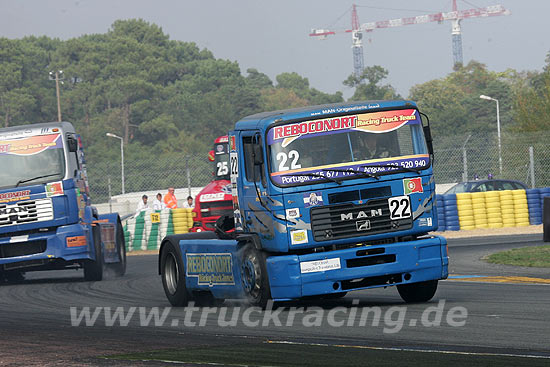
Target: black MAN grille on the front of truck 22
[{"x": 334, "y": 222}]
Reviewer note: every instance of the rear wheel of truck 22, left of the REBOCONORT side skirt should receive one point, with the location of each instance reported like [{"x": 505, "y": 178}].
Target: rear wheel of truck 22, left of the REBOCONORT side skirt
[{"x": 172, "y": 273}]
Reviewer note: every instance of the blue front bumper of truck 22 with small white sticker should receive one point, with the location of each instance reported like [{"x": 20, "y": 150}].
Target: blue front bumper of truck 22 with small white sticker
[{"x": 357, "y": 268}]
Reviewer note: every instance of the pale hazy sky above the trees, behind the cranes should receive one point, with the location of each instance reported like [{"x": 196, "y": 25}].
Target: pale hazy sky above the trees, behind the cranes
[{"x": 272, "y": 36}]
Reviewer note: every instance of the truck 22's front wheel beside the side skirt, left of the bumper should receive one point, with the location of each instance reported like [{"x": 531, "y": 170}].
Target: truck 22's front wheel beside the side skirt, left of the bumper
[{"x": 254, "y": 276}]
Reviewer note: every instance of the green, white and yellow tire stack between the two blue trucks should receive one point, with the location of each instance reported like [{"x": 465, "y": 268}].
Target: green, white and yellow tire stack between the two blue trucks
[{"x": 145, "y": 230}]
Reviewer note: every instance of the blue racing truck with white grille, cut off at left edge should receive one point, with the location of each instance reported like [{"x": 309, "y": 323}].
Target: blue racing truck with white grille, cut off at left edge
[{"x": 46, "y": 220}]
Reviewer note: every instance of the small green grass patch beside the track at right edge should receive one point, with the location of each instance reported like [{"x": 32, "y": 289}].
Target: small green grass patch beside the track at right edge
[{"x": 534, "y": 256}]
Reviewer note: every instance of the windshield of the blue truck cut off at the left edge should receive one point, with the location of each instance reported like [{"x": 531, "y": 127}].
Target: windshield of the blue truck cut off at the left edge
[{"x": 31, "y": 160}]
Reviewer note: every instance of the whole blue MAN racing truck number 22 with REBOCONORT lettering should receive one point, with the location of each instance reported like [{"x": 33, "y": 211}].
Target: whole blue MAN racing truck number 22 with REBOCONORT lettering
[{"x": 327, "y": 199}]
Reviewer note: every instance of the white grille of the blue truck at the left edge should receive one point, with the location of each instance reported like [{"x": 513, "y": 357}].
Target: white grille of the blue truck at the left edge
[{"x": 26, "y": 212}]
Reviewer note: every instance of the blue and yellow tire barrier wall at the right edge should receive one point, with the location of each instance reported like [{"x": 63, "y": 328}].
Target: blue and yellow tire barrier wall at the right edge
[{"x": 491, "y": 209}]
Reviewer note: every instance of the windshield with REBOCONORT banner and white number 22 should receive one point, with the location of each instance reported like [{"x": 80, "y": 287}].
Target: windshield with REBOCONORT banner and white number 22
[{"x": 347, "y": 146}]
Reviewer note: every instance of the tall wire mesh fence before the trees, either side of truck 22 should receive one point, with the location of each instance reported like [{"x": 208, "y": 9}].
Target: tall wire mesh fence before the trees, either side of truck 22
[{"x": 457, "y": 158}]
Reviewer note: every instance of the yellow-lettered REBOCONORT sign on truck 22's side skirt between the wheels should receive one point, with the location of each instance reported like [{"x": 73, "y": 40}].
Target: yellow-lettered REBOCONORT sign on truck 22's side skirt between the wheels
[{"x": 210, "y": 268}]
